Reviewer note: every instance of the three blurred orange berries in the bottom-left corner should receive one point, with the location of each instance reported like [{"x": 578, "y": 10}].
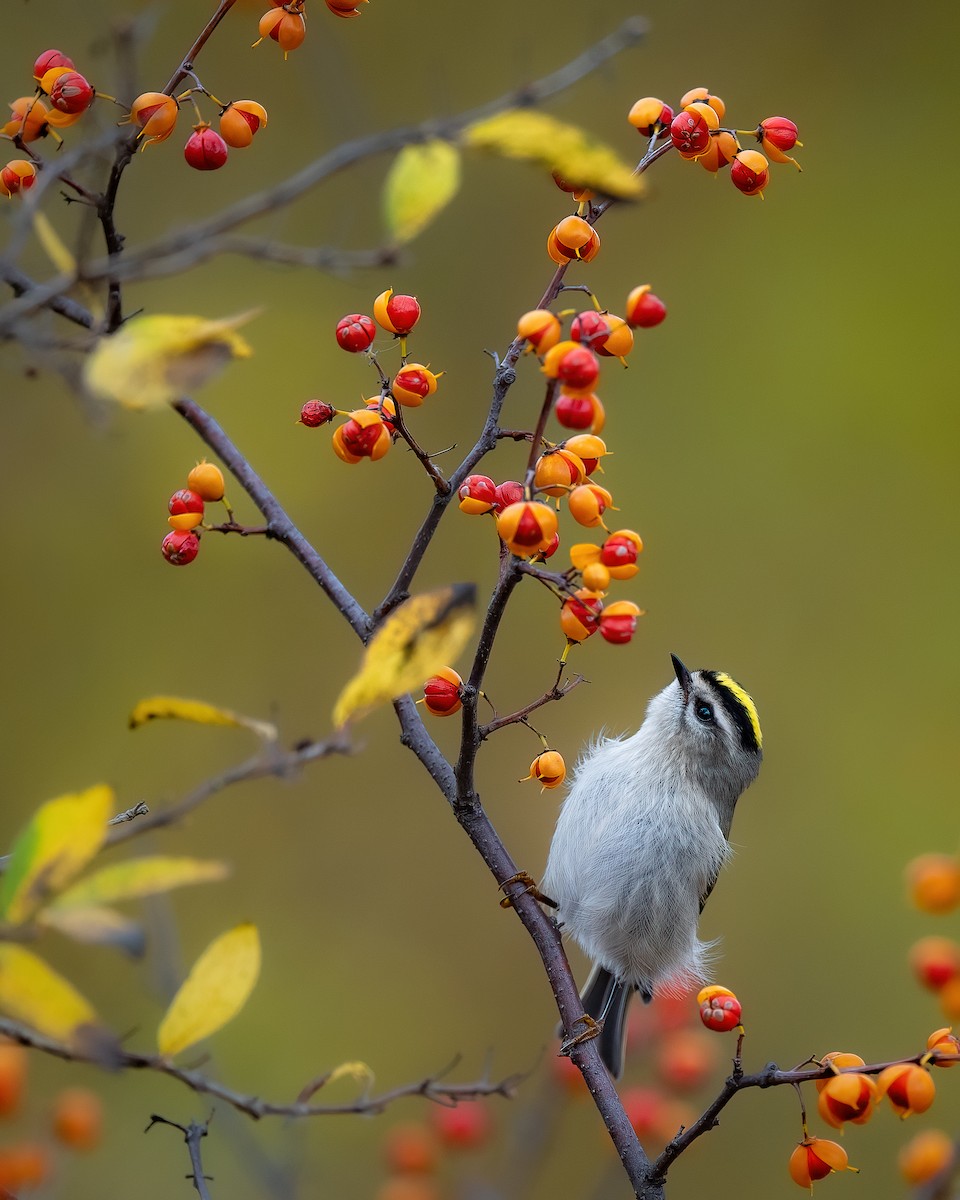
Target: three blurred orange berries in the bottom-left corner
[{"x": 76, "y": 1123}]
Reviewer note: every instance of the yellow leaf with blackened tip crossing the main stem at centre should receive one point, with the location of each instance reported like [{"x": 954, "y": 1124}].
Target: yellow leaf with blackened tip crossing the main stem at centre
[{"x": 423, "y": 635}]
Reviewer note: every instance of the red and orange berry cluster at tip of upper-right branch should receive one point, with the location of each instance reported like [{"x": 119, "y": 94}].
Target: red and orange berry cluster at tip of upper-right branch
[{"x": 698, "y": 136}]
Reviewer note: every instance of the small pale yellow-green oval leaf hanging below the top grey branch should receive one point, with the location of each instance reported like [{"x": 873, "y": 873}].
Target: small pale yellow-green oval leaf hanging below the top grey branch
[{"x": 421, "y": 184}]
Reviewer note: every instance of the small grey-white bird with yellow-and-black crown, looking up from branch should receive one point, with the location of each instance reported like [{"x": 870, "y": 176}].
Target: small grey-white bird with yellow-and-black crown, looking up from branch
[{"x": 641, "y": 838}]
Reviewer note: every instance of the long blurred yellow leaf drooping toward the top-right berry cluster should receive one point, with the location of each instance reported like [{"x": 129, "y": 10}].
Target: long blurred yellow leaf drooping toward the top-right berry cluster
[{"x": 562, "y": 149}]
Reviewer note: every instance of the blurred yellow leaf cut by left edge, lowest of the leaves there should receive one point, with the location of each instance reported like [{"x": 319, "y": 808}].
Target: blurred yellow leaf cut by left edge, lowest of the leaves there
[{"x": 33, "y": 993}]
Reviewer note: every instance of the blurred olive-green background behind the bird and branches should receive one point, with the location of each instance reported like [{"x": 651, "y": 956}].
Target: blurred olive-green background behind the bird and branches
[{"x": 787, "y": 445}]
